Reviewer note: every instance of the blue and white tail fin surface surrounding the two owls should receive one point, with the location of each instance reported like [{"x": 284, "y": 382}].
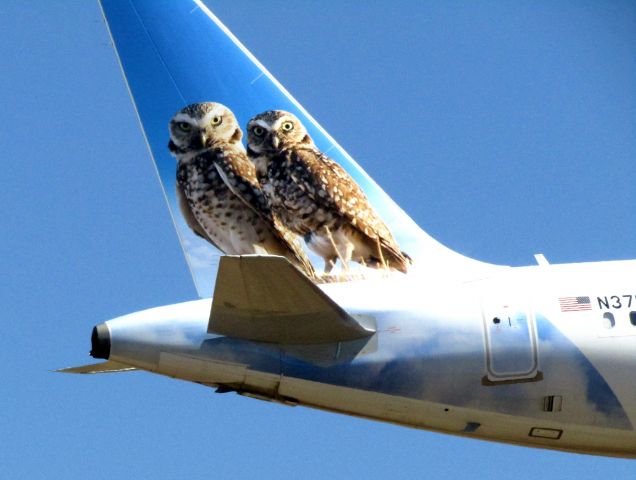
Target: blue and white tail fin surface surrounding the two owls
[{"x": 176, "y": 53}]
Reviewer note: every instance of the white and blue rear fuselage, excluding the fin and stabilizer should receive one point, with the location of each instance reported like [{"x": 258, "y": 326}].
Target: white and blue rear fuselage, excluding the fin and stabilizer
[{"x": 541, "y": 356}]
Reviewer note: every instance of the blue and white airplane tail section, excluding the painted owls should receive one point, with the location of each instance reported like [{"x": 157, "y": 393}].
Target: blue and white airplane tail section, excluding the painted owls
[{"x": 540, "y": 356}]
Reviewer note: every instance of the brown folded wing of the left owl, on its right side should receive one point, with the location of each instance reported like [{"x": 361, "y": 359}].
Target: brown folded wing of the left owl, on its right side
[{"x": 239, "y": 174}]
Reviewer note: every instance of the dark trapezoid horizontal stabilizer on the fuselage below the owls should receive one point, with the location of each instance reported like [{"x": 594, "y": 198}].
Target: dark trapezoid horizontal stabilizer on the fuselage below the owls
[{"x": 266, "y": 299}]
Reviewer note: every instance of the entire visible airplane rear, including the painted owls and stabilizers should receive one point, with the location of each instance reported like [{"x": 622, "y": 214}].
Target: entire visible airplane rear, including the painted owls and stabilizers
[{"x": 344, "y": 303}]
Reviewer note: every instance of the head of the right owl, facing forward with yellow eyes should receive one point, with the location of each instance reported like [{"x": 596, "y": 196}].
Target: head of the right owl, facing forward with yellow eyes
[{"x": 275, "y": 130}]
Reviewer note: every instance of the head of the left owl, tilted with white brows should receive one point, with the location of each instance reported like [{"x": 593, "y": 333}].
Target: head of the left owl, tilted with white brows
[{"x": 203, "y": 125}]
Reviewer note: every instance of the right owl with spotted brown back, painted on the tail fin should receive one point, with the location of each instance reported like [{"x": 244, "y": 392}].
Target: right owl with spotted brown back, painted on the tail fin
[{"x": 316, "y": 198}]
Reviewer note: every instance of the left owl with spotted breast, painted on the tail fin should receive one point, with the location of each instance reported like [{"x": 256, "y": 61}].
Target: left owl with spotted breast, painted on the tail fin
[{"x": 217, "y": 189}]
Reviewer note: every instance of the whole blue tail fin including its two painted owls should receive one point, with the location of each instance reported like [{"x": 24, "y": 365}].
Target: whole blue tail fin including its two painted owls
[{"x": 318, "y": 198}]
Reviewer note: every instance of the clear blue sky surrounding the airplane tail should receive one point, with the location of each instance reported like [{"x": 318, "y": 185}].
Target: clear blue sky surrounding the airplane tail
[{"x": 504, "y": 129}]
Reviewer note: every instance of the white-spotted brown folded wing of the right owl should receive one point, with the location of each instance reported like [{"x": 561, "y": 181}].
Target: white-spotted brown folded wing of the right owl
[{"x": 327, "y": 182}]
